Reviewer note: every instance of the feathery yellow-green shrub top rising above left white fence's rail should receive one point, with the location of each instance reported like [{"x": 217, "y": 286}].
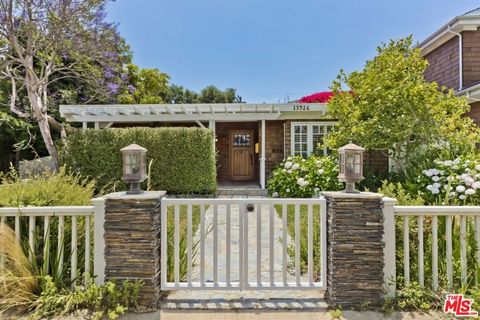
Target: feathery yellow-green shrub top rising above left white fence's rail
[{"x": 59, "y": 189}]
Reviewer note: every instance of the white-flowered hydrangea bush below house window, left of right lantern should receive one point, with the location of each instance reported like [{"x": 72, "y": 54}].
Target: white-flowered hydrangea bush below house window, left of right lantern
[{"x": 297, "y": 177}]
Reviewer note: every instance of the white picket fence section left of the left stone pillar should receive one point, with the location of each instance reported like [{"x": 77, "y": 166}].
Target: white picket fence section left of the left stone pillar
[{"x": 45, "y": 216}]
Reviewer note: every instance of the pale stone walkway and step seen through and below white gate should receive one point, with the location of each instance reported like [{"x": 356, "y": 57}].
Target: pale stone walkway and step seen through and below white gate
[{"x": 208, "y": 295}]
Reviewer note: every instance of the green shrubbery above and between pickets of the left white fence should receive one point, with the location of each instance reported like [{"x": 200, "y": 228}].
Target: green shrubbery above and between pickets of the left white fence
[{"x": 59, "y": 189}]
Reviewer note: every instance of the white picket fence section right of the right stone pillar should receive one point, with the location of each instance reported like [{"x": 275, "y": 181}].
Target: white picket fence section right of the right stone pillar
[{"x": 431, "y": 215}]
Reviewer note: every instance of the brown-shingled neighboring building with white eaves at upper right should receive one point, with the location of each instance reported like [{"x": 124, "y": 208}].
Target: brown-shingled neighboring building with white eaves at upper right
[{"x": 453, "y": 52}]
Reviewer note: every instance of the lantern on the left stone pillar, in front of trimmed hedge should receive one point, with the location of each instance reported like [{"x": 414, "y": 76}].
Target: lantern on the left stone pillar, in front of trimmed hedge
[{"x": 134, "y": 167}]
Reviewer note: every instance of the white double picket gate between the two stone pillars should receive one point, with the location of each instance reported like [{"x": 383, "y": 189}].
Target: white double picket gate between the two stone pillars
[{"x": 243, "y": 243}]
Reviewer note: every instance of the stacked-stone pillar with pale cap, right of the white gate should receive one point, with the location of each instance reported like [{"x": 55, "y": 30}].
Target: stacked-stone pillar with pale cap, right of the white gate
[{"x": 355, "y": 256}]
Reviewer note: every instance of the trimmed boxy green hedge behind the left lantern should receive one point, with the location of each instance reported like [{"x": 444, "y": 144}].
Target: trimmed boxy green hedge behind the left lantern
[{"x": 183, "y": 160}]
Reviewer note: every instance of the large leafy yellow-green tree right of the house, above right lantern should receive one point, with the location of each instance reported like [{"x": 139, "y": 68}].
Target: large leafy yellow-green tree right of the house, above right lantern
[{"x": 390, "y": 106}]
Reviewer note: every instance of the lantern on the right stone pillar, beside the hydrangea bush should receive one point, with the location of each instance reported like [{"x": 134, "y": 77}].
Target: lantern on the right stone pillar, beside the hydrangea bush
[{"x": 350, "y": 159}]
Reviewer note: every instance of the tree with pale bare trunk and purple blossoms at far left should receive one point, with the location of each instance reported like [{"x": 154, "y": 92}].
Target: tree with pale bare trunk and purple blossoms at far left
[{"x": 46, "y": 41}]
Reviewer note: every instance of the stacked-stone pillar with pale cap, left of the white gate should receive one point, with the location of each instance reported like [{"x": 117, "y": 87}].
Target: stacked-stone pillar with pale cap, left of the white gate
[{"x": 131, "y": 240}]
